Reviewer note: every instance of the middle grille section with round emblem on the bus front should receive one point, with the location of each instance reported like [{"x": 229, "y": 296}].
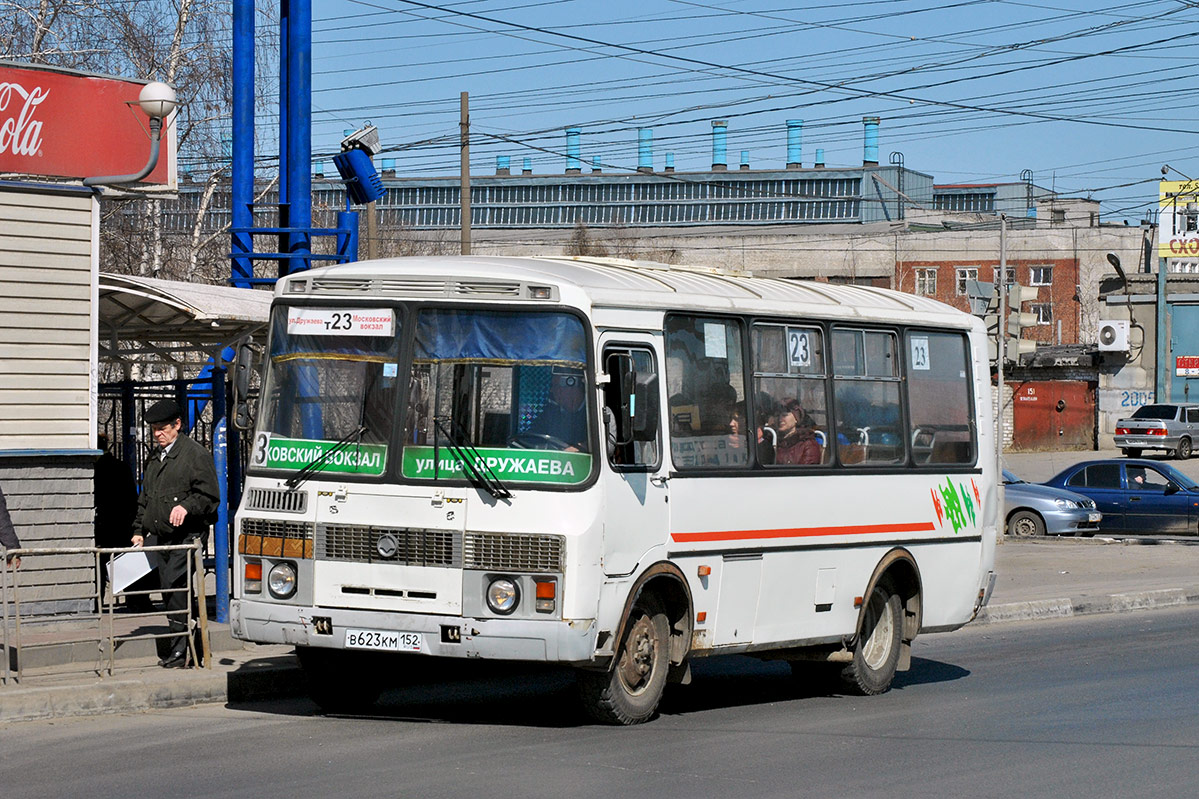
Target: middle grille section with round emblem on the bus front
[{"x": 359, "y": 543}]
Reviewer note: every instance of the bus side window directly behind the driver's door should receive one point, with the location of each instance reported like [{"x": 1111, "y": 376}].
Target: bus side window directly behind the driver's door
[{"x": 706, "y": 387}]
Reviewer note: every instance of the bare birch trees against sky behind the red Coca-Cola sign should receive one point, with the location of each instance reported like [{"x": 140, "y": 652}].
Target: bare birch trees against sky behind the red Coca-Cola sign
[{"x": 182, "y": 43}]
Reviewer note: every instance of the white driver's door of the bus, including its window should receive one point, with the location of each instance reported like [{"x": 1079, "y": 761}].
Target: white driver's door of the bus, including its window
[{"x": 636, "y": 494}]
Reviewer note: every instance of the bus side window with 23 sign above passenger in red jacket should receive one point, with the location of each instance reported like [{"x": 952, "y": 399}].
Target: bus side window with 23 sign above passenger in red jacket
[{"x": 791, "y": 408}]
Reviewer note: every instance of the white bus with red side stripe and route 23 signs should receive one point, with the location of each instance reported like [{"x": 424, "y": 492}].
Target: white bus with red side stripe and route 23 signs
[{"x": 613, "y": 466}]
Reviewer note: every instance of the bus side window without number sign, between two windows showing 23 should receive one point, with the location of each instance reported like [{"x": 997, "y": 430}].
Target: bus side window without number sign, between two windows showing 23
[{"x": 866, "y": 397}]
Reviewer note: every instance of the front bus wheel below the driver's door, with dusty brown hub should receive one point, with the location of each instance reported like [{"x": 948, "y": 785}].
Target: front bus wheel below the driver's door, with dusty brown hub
[{"x": 630, "y": 693}]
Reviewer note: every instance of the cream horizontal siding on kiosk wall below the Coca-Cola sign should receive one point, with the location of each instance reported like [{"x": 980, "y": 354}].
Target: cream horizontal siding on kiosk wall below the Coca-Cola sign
[{"x": 47, "y": 320}]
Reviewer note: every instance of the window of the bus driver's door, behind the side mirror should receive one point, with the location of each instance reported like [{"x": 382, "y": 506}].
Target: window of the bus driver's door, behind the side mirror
[{"x": 632, "y": 441}]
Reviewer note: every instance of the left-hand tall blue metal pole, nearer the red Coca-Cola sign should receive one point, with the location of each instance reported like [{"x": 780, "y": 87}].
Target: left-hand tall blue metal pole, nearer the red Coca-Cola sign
[{"x": 243, "y": 140}]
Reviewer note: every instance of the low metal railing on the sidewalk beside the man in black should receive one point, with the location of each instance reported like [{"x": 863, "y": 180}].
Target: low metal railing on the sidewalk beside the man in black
[{"x": 106, "y": 635}]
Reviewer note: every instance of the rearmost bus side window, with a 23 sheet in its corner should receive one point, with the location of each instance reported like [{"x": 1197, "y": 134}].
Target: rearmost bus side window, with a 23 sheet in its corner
[{"x": 939, "y": 399}]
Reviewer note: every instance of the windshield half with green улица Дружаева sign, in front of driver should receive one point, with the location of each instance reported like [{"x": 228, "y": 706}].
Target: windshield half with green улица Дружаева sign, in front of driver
[{"x": 508, "y": 389}]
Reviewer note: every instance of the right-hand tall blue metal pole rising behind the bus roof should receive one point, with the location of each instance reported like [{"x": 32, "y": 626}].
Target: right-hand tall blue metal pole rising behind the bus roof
[{"x": 299, "y": 122}]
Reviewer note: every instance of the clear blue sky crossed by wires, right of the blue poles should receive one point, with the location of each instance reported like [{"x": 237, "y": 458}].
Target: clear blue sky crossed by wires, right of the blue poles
[{"x": 1094, "y": 98}]
